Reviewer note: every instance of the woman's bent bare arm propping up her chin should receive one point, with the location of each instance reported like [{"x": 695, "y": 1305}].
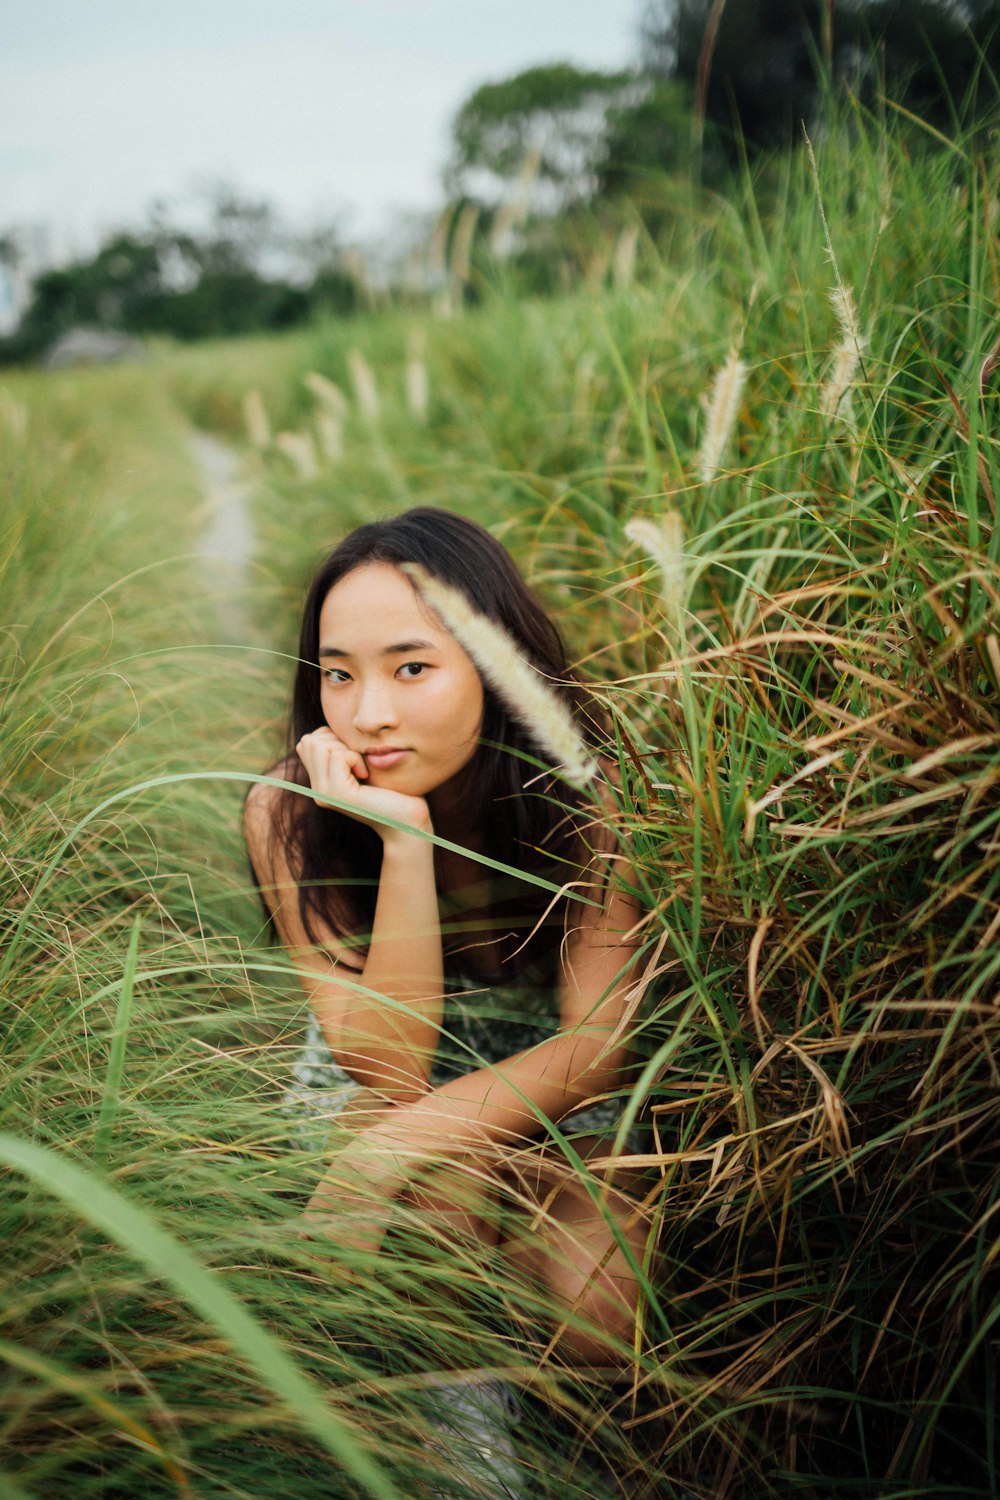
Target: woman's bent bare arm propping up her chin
[{"x": 386, "y": 1039}]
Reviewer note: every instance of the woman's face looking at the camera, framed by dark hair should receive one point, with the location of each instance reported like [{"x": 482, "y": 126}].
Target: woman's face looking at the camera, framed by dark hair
[{"x": 395, "y": 685}]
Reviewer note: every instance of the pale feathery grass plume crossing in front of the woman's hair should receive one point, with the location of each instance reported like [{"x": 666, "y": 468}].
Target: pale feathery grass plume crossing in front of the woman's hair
[{"x": 521, "y": 688}]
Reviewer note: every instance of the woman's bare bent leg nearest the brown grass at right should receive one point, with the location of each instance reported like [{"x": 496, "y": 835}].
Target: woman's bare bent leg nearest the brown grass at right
[{"x": 569, "y": 1249}]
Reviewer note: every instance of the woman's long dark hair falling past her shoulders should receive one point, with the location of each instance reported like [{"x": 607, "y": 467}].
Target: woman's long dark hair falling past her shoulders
[{"x": 335, "y": 859}]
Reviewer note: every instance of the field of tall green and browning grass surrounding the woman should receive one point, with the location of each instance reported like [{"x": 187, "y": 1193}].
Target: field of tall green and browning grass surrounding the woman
[{"x": 800, "y": 655}]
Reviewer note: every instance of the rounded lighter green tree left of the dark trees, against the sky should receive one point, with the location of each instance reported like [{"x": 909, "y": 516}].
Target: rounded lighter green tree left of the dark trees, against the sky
[{"x": 554, "y": 116}]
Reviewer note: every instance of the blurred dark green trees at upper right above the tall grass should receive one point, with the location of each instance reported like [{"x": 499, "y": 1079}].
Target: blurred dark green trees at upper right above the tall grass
[{"x": 735, "y": 76}]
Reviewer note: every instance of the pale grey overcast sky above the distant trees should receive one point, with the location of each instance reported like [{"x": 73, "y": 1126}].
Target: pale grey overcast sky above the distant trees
[{"x": 319, "y": 106}]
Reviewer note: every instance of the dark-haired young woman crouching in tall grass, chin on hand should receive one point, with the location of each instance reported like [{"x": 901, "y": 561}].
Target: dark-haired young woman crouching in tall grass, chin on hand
[{"x": 430, "y": 970}]
